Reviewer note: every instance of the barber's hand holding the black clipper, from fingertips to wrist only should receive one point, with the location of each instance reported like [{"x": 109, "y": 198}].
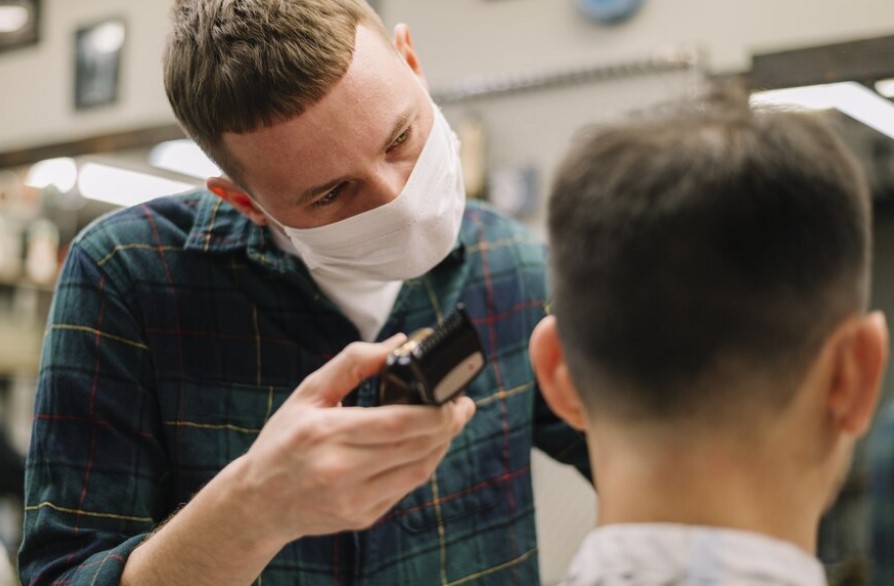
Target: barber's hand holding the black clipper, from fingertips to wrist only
[{"x": 318, "y": 468}]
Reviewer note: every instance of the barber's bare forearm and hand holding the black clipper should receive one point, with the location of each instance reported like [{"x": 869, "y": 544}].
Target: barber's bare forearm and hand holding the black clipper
[{"x": 316, "y": 468}]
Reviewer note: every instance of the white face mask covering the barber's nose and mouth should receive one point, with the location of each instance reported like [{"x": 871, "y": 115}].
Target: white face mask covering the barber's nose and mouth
[{"x": 404, "y": 238}]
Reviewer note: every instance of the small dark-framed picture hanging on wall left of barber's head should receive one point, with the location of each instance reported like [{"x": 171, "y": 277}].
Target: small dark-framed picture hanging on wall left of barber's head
[{"x": 98, "y": 49}]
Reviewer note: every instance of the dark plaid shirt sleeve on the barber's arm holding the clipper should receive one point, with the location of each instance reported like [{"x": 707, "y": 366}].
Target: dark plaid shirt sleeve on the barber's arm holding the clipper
[{"x": 97, "y": 467}]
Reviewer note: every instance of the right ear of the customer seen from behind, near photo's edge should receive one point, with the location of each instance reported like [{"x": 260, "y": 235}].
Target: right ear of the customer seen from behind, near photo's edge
[{"x": 859, "y": 359}]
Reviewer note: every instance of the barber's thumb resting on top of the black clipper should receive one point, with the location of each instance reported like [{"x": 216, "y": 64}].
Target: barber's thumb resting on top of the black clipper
[{"x": 328, "y": 385}]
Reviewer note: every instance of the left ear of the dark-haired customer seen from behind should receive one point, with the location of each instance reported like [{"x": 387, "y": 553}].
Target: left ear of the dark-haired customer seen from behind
[{"x": 553, "y": 376}]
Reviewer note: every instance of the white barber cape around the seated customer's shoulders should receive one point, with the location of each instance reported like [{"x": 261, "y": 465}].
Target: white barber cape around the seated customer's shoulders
[{"x": 688, "y": 555}]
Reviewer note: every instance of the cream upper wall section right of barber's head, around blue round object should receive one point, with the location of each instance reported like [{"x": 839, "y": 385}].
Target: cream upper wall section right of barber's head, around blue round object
[{"x": 474, "y": 37}]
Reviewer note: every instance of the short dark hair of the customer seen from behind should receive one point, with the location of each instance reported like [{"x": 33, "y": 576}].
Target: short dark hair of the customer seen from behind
[{"x": 702, "y": 248}]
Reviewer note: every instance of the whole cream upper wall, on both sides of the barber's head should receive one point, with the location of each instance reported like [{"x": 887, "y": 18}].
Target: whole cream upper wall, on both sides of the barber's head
[{"x": 456, "y": 39}]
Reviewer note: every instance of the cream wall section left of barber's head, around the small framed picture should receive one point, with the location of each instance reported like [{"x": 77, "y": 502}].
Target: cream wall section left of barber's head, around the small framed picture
[{"x": 37, "y": 104}]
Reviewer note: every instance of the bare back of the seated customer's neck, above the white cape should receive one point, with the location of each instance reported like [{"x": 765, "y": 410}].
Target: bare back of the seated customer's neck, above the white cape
[{"x": 707, "y": 482}]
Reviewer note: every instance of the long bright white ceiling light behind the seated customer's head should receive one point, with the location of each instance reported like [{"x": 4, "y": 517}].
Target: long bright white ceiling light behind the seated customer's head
[{"x": 851, "y": 98}]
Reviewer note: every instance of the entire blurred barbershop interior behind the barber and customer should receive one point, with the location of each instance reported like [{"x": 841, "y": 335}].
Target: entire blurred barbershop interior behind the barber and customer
[{"x": 85, "y": 128}]
